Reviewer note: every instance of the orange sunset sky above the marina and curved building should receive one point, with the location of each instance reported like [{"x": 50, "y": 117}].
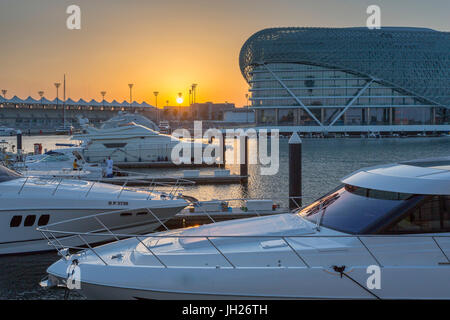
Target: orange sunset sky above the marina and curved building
[{"x": 165, "y": 45}]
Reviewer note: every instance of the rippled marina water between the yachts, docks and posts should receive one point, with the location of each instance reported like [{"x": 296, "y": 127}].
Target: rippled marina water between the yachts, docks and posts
[{"x": 325, "y": 161}]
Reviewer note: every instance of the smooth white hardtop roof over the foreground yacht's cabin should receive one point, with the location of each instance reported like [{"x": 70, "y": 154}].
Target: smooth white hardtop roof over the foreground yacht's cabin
[{"x": 424, "y": 176}]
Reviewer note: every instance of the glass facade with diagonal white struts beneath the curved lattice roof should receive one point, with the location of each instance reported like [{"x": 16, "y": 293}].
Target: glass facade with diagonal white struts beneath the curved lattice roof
[{"x": 326, "y": 92}]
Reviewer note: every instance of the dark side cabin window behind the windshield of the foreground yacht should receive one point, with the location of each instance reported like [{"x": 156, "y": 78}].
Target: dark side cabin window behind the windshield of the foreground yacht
[{"x": 430, "y": 215}]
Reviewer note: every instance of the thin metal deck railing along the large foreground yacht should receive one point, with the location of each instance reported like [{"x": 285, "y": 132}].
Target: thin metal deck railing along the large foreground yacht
[{"x": 59, "y": 239}]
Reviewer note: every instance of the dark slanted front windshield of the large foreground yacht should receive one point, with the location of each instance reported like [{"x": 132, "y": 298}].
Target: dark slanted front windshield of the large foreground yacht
[{"x": 353, "y": 209}]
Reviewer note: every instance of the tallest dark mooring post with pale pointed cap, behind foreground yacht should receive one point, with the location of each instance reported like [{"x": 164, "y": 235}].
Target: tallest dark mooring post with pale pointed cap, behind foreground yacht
[{"x": 295, "y": 171}]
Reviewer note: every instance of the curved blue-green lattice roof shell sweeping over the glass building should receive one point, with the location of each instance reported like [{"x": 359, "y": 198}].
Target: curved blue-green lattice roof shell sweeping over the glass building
[{"x": 416, "y": 60}]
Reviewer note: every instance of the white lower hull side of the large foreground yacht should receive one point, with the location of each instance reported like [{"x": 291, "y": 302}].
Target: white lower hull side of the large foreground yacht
[{"x": 320, "y": 283}]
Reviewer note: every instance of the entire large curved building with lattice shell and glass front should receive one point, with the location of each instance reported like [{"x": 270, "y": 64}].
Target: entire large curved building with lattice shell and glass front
[{"x": 335, "y": 77}]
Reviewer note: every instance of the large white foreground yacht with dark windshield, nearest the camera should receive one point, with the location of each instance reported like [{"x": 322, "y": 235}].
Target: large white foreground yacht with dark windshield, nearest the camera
[{"x": 384, "y": 233}]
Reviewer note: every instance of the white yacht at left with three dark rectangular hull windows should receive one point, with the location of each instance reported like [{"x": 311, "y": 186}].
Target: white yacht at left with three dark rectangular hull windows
[{"x": 28, "y": 203}]
